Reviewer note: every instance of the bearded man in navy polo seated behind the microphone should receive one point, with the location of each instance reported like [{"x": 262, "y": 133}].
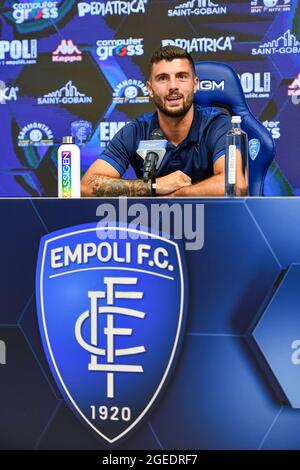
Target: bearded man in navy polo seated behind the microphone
[{"x": 194, "y": 163}]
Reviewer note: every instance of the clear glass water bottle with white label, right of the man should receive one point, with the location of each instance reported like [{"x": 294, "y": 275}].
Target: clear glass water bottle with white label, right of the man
[{"x": 236, "y": 160}]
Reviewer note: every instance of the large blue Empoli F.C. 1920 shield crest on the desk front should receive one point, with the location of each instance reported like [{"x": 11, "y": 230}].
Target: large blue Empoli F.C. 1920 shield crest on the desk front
[{"x": 111, "y": 316}]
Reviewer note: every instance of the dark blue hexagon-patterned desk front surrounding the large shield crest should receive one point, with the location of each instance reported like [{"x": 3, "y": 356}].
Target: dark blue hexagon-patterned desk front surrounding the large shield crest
[{"x": 220, "y": 397}]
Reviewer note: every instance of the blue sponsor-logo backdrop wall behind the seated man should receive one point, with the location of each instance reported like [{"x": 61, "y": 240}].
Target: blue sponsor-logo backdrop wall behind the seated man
[{"x": 65, "y": 61}]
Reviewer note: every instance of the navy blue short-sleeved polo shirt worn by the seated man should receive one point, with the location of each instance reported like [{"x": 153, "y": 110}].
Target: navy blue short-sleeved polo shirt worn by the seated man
[{"x": 195, "y": 155}]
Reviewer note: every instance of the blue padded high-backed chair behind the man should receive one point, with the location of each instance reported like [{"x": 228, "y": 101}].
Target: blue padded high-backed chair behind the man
[{"x": 220, "y": 87}]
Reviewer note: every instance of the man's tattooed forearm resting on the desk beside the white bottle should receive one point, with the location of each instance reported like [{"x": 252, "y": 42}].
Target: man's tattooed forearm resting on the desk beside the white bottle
[{"x": 106, "y": 186}]
